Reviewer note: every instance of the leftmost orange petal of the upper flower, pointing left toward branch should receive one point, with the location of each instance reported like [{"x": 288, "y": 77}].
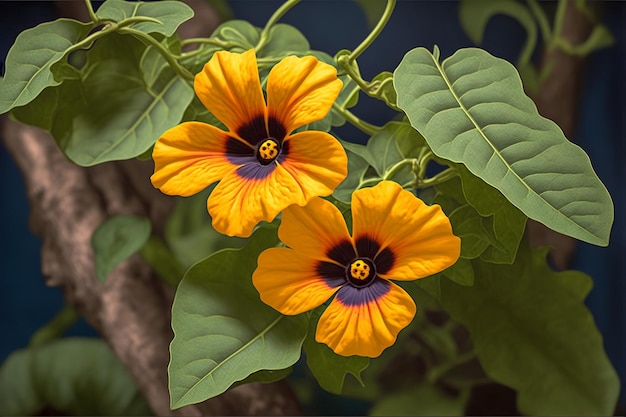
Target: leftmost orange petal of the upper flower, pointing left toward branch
[{"x": 190, "y": 157}]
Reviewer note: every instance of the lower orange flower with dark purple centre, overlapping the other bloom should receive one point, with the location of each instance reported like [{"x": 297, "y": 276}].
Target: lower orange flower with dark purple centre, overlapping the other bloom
[{"x": 395, "y": 236}]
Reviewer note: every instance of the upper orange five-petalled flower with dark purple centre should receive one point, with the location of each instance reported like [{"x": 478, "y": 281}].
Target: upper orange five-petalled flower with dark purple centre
[{"x": 262, "y": 167}]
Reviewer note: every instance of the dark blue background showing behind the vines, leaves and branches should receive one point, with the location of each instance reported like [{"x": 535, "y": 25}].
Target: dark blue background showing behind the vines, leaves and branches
[{"x": 26, "y": 303}]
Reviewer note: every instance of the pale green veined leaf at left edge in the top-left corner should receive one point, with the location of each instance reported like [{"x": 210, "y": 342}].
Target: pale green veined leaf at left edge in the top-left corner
[{"x": 30, "y": 60}]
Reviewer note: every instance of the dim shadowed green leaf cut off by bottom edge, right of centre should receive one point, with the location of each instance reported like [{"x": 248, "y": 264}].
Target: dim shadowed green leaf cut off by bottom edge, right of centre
[{"x": 420, "y": 400}]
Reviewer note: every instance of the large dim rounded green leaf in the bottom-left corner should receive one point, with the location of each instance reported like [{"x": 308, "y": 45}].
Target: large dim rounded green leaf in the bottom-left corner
[{"x": 75, "y": 376}]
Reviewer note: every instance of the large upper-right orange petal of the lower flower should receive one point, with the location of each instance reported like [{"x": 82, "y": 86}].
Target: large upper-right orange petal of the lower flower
[{"x": 416, "y": 239}]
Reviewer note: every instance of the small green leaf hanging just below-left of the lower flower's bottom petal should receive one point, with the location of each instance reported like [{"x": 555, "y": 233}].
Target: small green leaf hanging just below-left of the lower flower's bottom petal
[{"x": 328, "y": 368}]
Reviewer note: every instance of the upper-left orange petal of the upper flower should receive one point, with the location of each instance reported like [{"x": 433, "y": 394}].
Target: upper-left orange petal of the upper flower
[{"x": 229, "y": 86}]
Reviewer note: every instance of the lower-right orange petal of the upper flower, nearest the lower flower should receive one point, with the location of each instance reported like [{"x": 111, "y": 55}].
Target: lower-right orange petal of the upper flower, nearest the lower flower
[{"x": 317, "y": 161}]
